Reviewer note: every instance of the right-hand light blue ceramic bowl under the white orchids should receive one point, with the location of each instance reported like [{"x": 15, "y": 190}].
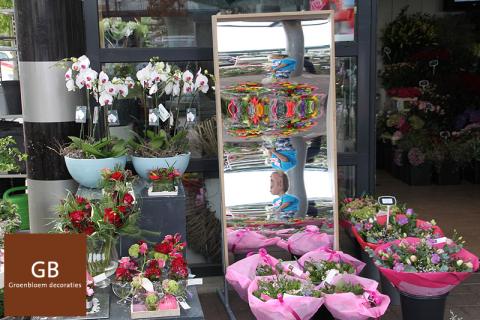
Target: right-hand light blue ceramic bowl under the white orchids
[{"x": 144, "y": 165}]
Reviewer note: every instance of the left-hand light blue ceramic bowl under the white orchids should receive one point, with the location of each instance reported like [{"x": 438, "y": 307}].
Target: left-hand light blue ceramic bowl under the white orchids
[{"x": 87, "y": 172}]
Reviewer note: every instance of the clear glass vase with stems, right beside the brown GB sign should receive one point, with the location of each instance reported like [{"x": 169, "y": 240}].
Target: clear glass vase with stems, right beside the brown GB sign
[{"x": 102, "y": 258}]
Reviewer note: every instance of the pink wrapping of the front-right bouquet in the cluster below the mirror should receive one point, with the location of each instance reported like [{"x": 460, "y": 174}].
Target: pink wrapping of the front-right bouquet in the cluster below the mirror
[{"x": 347, "y": 306}]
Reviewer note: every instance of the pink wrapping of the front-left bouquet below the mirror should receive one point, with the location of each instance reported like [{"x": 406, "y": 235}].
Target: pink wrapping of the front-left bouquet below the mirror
[{"x": 288, "y": 307}]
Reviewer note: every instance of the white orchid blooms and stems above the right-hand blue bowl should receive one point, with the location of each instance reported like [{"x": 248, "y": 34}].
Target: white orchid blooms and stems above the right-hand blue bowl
[{"x": 160, "y": 79}]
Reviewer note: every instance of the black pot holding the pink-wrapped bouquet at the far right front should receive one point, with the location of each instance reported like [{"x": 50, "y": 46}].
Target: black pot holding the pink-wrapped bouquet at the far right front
[{"x": 425, "y": 308}]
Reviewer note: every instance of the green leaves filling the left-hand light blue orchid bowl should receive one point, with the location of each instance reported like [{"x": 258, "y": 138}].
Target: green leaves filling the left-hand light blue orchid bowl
[{"x": 91, "y": 149}]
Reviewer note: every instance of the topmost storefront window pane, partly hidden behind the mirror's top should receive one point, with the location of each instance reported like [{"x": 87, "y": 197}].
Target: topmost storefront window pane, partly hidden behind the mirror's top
[{"x": 182, "y": 23}]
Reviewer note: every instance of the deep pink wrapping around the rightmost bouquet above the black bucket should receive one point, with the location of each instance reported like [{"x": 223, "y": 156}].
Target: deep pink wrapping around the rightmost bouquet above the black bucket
[{"x": 427, "y": 284}]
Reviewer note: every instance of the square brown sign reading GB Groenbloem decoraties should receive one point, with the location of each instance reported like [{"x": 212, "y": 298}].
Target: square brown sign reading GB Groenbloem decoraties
[{"x": 45, "y": 274}]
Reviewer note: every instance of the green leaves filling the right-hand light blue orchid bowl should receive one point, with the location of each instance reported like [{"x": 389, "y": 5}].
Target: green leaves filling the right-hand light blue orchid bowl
[{"x": 159, "y": 144}]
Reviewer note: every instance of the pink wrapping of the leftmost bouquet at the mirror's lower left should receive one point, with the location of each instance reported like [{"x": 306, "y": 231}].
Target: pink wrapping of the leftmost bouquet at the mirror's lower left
[{"x": 241, "y": 273}]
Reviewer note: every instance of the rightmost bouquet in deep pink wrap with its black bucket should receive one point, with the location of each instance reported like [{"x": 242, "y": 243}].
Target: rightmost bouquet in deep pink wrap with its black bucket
[{"x": 424, "y": 271}]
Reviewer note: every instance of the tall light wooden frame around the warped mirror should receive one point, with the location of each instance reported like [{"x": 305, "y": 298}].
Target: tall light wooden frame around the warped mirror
[{"x": 330, "y": 115}]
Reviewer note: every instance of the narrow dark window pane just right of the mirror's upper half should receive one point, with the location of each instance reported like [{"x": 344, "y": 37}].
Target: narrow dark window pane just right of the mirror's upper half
[{"x": 346, "y": 86}]
